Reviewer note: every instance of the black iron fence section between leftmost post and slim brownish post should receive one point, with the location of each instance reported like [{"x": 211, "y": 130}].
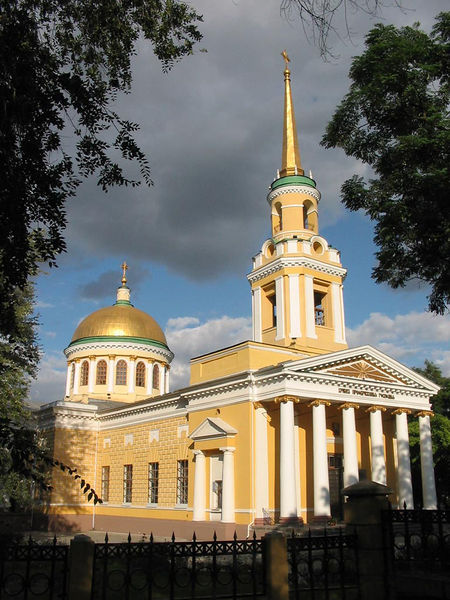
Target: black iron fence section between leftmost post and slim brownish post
[{"x": 179, "y": 570}]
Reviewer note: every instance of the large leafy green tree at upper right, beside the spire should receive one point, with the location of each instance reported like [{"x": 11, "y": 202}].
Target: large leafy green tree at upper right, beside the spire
[{"x": 395, "y": 119}]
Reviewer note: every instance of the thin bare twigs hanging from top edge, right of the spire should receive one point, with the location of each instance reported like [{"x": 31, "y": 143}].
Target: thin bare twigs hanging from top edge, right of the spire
[{"x": 318, "y": 17}]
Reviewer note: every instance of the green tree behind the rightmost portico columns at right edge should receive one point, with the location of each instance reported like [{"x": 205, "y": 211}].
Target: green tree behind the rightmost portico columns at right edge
[{"x": 440, "y": 433}]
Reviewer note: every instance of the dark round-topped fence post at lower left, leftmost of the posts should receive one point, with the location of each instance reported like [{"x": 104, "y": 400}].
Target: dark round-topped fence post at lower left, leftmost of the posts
[{"x": 81, "y": 565}]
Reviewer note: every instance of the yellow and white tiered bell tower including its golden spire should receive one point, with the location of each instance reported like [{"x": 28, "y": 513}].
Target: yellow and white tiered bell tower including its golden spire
[{"x": 297, "y": 278}]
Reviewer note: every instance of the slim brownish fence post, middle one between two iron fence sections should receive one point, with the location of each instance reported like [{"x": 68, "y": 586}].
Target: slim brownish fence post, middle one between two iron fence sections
[{"x": 276, "y": 566}]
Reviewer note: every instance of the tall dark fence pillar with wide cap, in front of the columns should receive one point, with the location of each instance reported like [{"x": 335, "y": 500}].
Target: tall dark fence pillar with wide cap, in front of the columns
[{"x": 363, "y": 511}]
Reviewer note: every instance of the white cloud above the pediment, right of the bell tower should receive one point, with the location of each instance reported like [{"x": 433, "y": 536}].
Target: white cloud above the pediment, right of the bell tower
[{"x": 410, "y": 338}]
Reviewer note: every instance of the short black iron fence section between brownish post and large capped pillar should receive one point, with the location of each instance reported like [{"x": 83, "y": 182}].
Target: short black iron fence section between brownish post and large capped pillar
[{"x": 323, "y": 566}]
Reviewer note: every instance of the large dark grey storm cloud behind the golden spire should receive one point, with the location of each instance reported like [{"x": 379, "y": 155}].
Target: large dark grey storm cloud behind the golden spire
[{"x": 212, "y": 131}]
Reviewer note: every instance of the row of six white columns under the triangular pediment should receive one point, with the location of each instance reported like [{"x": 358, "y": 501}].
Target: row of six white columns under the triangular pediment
[{"x": 322, "y": 508}]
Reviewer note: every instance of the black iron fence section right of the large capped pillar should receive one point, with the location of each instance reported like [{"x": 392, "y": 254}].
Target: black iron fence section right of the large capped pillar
[{"x": 418, "y": 539}]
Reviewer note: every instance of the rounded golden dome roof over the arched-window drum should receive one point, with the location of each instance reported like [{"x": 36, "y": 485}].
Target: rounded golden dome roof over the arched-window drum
[{"x": 120, "y": 320}]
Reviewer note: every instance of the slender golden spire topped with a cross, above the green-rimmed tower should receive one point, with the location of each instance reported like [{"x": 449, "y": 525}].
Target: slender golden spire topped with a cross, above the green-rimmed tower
[{"x": 290, "y": 159}]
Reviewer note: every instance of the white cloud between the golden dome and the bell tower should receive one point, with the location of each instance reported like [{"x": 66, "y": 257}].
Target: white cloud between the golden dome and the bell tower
[{"x": 188, "y": 337}]
